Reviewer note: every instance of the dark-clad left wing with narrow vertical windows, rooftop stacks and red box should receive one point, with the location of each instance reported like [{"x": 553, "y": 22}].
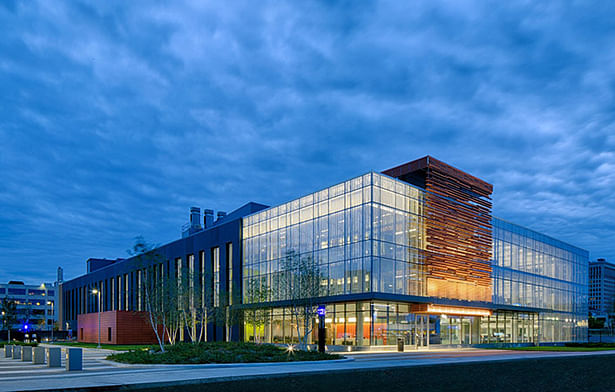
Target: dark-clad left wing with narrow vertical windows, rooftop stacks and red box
[{"x": 213, "y": 249}]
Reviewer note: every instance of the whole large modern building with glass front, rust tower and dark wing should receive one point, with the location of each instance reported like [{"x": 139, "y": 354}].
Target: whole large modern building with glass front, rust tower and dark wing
[{"x": 412, "y": 253}]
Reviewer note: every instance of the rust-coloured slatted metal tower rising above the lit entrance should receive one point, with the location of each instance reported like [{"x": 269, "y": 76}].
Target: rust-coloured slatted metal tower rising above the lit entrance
[{"x": 457, "y": 228}]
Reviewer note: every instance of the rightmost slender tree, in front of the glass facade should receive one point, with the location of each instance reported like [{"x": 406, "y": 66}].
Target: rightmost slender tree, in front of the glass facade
[{"x": 300, "y": 279}]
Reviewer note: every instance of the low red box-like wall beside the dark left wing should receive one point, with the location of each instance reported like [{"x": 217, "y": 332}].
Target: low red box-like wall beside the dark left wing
[{"x": 126, "y": 328}]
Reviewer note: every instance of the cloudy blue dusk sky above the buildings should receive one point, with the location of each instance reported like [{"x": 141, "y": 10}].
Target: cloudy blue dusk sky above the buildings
[{"x": 116, "y": 117}]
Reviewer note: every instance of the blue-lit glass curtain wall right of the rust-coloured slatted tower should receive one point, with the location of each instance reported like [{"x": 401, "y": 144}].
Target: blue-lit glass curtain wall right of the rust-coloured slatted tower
[{"x": 534, "y": 270}]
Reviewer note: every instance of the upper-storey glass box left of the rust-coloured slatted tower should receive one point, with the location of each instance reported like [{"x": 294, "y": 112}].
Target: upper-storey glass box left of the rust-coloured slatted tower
[{"x": 366, "y": 234}]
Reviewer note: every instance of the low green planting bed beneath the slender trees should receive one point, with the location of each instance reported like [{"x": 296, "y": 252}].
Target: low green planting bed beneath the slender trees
[{"x": 218, "y": 352}]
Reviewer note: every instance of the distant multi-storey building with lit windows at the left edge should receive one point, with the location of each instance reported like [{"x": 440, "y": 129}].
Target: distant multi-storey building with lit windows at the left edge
[{"x": 36, "y": 305}]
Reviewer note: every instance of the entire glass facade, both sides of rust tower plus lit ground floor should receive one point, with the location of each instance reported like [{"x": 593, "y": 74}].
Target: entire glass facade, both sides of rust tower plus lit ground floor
[{"x": 367, "y": 235}]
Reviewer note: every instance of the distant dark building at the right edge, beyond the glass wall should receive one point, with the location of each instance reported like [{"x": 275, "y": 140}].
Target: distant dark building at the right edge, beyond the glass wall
[{"x": 601, "y": 288}]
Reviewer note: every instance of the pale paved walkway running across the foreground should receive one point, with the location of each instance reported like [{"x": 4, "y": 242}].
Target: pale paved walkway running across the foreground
[{"x": 98, "y": 372}]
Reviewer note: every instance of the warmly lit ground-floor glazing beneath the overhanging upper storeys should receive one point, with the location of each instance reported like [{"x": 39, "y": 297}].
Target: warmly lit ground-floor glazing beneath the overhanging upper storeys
[{"x": 382, "y": 323}]
